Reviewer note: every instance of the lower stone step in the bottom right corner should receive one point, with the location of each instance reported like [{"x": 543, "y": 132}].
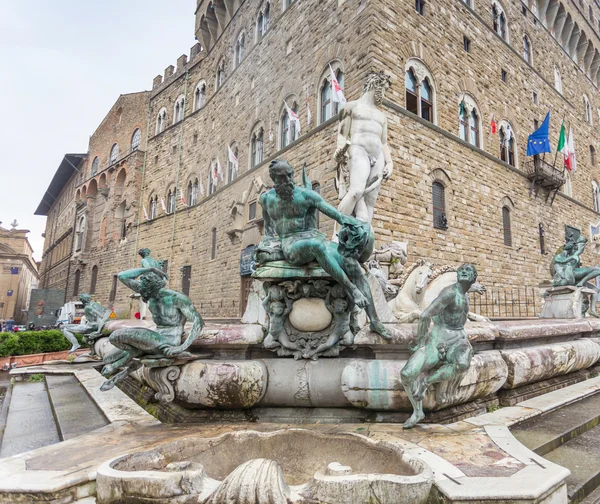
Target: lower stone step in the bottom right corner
[{"x": 581, "y": 456}]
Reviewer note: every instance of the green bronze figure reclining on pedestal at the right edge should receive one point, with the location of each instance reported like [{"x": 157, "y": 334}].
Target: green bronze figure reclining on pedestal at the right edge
[{"x": 567, "y": 268}]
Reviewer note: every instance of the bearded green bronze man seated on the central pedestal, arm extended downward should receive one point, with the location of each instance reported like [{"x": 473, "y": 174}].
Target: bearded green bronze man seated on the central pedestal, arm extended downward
[{"x": 291, "y": 234}]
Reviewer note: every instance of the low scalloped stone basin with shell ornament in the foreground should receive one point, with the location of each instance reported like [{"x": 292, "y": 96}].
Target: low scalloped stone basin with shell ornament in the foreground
[{"x": 292, "y": 465}]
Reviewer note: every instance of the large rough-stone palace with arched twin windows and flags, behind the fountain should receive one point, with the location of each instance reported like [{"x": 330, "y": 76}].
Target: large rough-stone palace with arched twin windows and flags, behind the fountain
[{"x": 459, "y": 192}]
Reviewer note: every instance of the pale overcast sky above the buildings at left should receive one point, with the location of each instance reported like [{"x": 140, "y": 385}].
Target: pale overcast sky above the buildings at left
[{"x": 63, "y": 65}]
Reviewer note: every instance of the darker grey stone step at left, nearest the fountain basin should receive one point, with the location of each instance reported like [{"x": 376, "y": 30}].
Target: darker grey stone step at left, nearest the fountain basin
[{"x": 75, "y": 412}]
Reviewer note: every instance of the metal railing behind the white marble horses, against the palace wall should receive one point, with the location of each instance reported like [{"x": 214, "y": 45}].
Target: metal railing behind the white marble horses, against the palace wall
[{"x": 510, "y": 302}]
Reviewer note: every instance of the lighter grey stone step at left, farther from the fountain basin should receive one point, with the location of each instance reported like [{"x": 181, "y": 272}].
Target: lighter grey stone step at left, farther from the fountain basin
[{"x": 30, "y": 423}]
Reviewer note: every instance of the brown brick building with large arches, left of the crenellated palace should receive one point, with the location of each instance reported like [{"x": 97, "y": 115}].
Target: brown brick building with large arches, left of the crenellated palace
[{"x": 100, "y": 197}]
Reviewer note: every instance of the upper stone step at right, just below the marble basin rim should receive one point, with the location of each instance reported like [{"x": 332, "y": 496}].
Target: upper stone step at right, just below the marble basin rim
[{"x": 547, "y": 432}]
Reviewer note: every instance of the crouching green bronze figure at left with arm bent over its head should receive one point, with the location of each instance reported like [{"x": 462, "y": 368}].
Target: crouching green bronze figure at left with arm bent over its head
[{"x": 170, "y": 310}]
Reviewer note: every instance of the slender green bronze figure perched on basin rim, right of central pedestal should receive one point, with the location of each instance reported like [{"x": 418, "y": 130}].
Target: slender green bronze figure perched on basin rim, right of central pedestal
[{"x": 445, "y": 352}]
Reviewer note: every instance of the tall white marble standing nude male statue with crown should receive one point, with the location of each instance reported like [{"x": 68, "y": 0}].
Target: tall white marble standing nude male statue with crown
[{"x": 362, "y": 155}]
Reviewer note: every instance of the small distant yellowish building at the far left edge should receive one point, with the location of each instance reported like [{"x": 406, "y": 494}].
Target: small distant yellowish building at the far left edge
[{"x": 18, "y": 274}]
